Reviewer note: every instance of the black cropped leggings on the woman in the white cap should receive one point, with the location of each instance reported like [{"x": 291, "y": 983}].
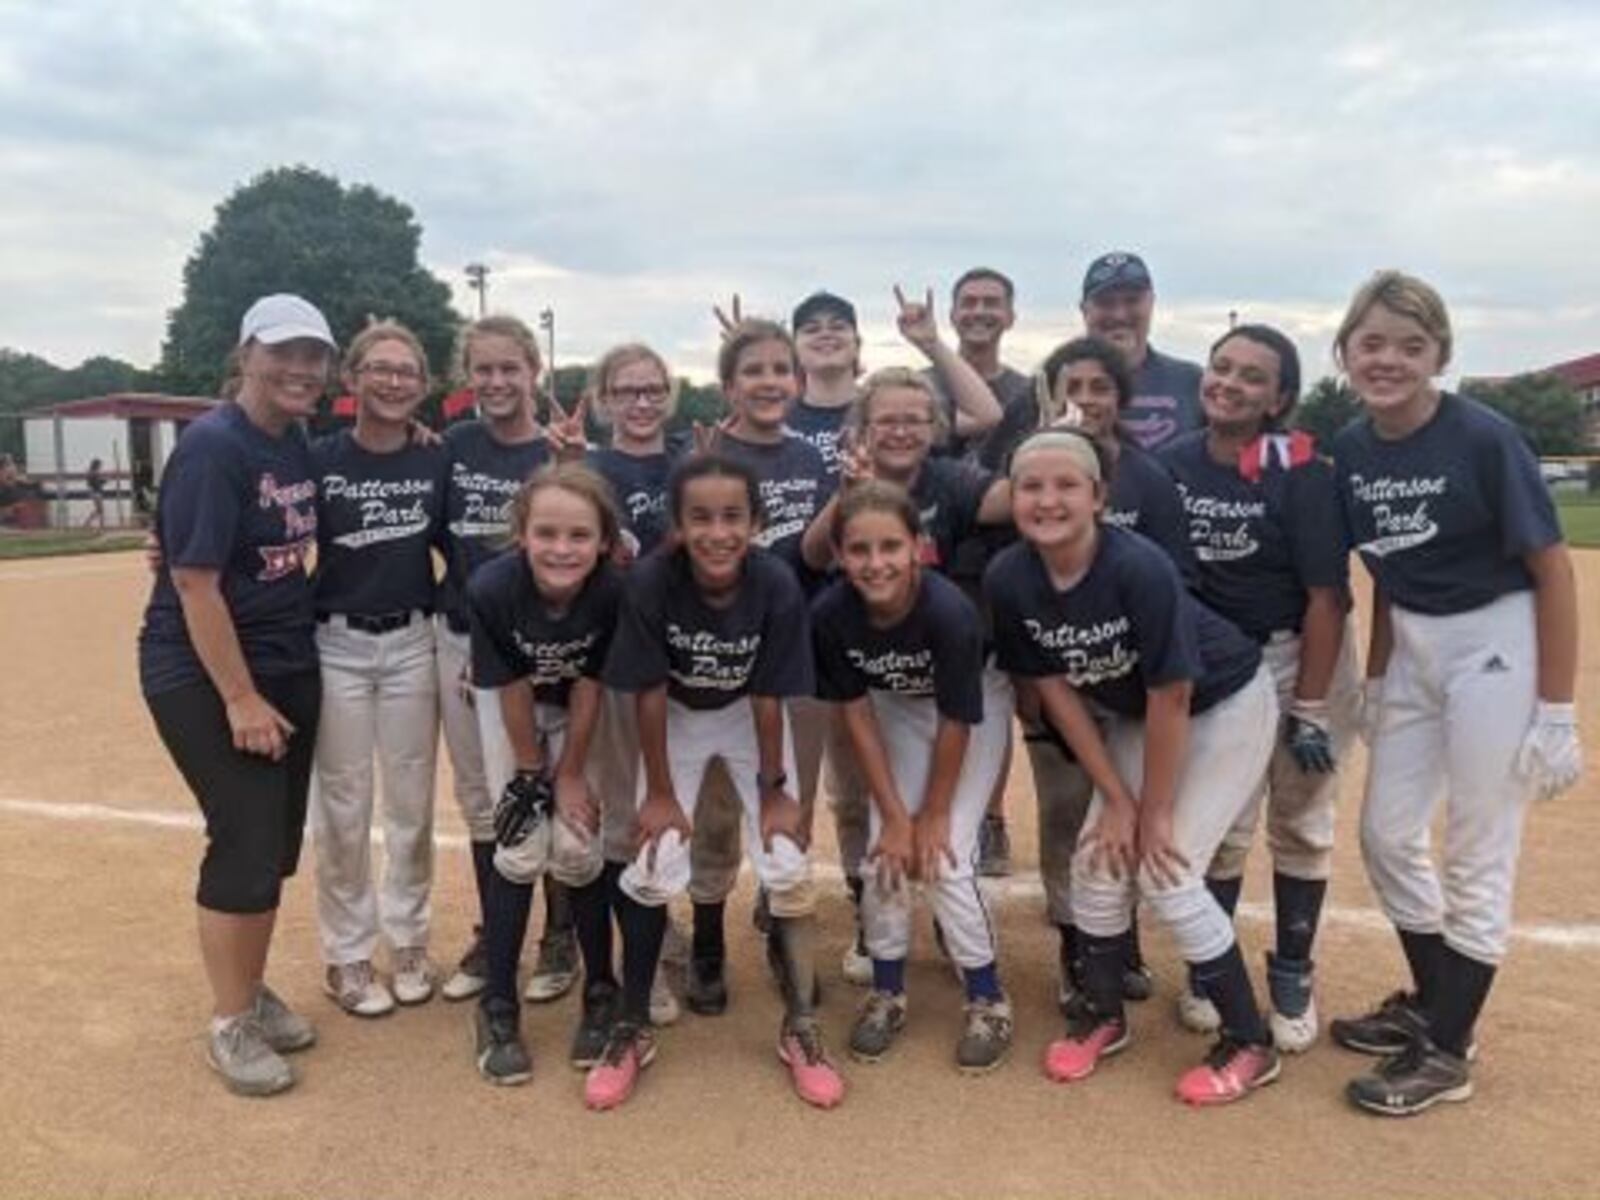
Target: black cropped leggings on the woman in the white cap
[{"x": 255, "y": 809}]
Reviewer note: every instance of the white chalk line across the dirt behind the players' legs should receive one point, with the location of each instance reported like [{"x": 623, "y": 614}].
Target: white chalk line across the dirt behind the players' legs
[{"x": 1025, "y": 886}]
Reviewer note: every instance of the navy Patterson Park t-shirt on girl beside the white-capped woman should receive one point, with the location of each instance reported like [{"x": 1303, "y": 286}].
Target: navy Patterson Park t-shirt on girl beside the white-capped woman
[{"x": 378, "y": 516}]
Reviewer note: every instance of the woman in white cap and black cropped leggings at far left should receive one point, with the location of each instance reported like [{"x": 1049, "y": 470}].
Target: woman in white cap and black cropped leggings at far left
[{"x": 228, "y": 666}]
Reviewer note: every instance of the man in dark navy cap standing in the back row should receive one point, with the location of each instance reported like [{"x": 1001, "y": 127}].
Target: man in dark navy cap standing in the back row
[{"x": 1118, "y": 303}]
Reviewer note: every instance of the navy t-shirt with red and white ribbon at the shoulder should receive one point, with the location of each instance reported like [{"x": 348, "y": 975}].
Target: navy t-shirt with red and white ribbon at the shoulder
[{"x": 1260, "y": 545}]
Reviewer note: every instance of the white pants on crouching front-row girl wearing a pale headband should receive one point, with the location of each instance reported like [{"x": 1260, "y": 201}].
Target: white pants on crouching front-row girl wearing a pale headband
[{"x": 1230, "y": 746}]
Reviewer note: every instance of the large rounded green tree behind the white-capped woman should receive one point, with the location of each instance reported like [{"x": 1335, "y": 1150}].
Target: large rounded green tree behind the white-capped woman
[{"x": 350, "y": 250}]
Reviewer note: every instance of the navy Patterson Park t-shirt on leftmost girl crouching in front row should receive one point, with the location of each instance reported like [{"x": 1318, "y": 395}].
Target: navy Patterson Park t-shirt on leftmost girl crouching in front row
[{"x": 518, "y": 638}]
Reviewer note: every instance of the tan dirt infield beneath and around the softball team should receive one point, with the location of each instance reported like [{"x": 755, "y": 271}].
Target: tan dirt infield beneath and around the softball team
[{"x": 103, "y": 1087}]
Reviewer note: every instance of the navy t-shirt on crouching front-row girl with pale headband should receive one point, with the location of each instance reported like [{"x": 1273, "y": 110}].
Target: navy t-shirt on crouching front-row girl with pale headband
[{"x": 1126, "y": 628}]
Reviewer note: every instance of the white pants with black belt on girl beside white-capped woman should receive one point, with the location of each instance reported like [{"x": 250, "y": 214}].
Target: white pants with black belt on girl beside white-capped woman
[{"x": 380, "y": 695}]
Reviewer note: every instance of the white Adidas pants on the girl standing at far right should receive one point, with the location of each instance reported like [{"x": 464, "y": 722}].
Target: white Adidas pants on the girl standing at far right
[{"x": 1458, "y": 698}]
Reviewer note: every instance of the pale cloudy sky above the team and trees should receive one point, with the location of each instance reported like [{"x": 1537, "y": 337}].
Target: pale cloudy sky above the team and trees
[{"x": 630, "y": 164}]
